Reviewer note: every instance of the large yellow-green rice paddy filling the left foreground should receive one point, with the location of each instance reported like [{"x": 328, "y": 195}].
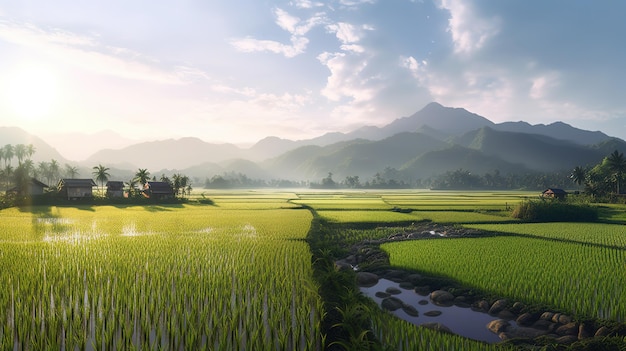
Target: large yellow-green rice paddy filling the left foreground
[{"x": 169, "y": 276}]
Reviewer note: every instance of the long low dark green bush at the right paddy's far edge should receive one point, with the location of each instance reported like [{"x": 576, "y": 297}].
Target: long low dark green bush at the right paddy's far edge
[{"x": 554, "y": 211}]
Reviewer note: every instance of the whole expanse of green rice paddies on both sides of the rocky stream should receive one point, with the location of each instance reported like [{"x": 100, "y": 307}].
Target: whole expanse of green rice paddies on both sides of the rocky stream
[{"x": 235, "y": 272}]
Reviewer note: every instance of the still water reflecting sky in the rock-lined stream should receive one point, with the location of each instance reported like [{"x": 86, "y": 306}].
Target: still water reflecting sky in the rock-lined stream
[{"x": 462, "y": 321}]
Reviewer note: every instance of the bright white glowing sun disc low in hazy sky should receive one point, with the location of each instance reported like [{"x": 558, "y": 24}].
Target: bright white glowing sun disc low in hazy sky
[{"x": 33, "y": 91}]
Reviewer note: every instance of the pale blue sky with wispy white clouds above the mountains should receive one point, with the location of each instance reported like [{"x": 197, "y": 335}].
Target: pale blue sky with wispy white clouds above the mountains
[{"x": 240, "y": 70}]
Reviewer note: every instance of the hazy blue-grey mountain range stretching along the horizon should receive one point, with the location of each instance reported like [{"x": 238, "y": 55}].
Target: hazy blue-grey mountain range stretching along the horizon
[{"x": 432, "y": 141}]
